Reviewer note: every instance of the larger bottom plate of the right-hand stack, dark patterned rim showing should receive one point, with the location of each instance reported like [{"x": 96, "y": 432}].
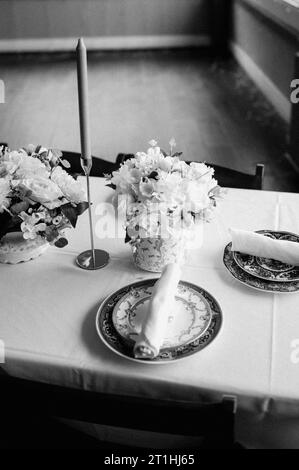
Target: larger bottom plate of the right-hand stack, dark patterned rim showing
[{"x": 253, "y": 281}]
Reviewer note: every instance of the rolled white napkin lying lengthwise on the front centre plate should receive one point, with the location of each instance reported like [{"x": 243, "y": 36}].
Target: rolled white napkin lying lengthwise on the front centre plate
[{"x": 150, "y": 340}]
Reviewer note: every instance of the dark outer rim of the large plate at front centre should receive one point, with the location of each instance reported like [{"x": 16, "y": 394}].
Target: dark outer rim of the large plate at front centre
[{"x": 157, "y": 362}]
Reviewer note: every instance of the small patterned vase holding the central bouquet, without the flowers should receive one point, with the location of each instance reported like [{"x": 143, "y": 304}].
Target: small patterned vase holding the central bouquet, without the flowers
[{"x": 152, "y": 254}]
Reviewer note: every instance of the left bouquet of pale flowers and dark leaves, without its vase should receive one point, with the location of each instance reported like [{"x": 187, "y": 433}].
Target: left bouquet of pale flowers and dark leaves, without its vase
[{"x": 37, "y": 196}]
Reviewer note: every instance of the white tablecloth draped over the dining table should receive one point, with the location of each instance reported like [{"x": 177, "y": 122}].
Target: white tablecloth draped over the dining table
[{"x": 48, "y": 308}]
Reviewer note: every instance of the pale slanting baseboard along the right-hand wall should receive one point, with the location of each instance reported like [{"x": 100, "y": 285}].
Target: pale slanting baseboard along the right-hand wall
[{"x": 263, "y": 82}]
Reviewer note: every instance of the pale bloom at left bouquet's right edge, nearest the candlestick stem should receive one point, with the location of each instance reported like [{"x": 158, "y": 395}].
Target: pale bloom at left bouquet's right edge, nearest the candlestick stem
[{"x": 72, "y": 190}]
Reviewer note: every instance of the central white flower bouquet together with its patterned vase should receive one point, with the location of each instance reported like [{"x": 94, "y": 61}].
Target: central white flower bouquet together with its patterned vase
[{"x": 165, "y": 199}]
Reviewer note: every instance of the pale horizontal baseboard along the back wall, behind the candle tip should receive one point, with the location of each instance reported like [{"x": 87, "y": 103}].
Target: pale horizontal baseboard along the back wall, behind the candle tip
[{"x": 103, "y": 43}]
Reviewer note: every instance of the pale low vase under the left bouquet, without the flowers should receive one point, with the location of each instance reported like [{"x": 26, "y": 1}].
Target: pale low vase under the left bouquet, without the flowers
[{"x": 15, "y": 249}]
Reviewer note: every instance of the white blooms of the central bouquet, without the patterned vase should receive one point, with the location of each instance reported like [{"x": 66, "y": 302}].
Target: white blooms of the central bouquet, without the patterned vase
[{"x": 182, "y": 190}]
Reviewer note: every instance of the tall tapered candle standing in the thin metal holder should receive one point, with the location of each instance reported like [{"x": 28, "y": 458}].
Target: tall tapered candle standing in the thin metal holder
[{"x": 83, "y": 101}]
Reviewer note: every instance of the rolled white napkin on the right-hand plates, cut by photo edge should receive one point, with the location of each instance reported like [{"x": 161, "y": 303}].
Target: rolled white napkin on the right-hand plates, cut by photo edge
[{"x": 256, "y": 244}]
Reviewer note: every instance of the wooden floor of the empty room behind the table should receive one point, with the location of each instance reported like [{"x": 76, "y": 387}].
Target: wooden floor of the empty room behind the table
[{"x": 210, "y": 107}]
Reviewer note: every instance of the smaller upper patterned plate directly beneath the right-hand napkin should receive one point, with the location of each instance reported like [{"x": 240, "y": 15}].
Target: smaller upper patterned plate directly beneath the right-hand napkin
[{"x": 269, "y": 269}]
